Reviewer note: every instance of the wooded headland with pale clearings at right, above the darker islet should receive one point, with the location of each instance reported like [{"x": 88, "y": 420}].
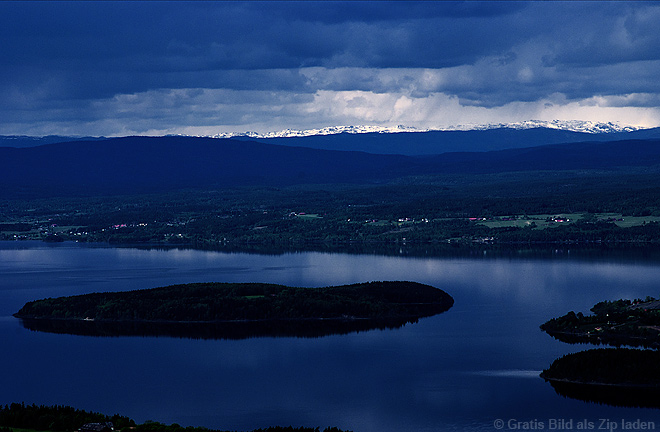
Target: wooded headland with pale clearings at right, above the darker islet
[{"x": 616, "y": 323}]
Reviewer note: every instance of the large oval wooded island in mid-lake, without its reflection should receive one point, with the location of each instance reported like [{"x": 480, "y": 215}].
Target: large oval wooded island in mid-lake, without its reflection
[{"x": 211, "y": 302}]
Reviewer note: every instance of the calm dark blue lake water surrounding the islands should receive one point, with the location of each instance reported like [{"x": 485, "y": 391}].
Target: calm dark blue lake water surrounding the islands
[{"x": 460, "y": 370}]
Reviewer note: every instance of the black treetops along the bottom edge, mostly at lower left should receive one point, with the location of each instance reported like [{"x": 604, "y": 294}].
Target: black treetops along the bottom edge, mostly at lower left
[{"x": 67, "y": 419}]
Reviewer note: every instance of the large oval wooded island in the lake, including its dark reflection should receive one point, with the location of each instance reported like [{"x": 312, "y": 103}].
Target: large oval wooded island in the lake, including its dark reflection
[{"x": 237, "y": 310}]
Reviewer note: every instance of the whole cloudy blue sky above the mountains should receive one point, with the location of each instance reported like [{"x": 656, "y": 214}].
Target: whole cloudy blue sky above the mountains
[{"x": 118, "y": 68}]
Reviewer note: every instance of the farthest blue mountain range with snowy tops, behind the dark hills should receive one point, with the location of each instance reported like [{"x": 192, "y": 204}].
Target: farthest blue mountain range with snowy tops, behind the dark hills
[{"x": 409, "y": 141}]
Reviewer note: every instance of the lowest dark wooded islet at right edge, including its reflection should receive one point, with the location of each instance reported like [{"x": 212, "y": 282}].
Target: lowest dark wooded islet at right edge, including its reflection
[{"x": 618, "y": 377}]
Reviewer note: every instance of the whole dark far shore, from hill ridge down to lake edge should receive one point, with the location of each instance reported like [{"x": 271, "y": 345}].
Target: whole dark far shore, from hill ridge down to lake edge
[{"x": 218, "y": 193}]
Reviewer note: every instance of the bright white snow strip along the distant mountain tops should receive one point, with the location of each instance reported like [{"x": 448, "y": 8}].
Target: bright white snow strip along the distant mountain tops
[{"x": 567, "y": 125}]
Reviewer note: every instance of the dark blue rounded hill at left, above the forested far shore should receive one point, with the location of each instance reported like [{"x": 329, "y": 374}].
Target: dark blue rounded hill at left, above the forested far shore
[{"x": 142, "y": 164}]
